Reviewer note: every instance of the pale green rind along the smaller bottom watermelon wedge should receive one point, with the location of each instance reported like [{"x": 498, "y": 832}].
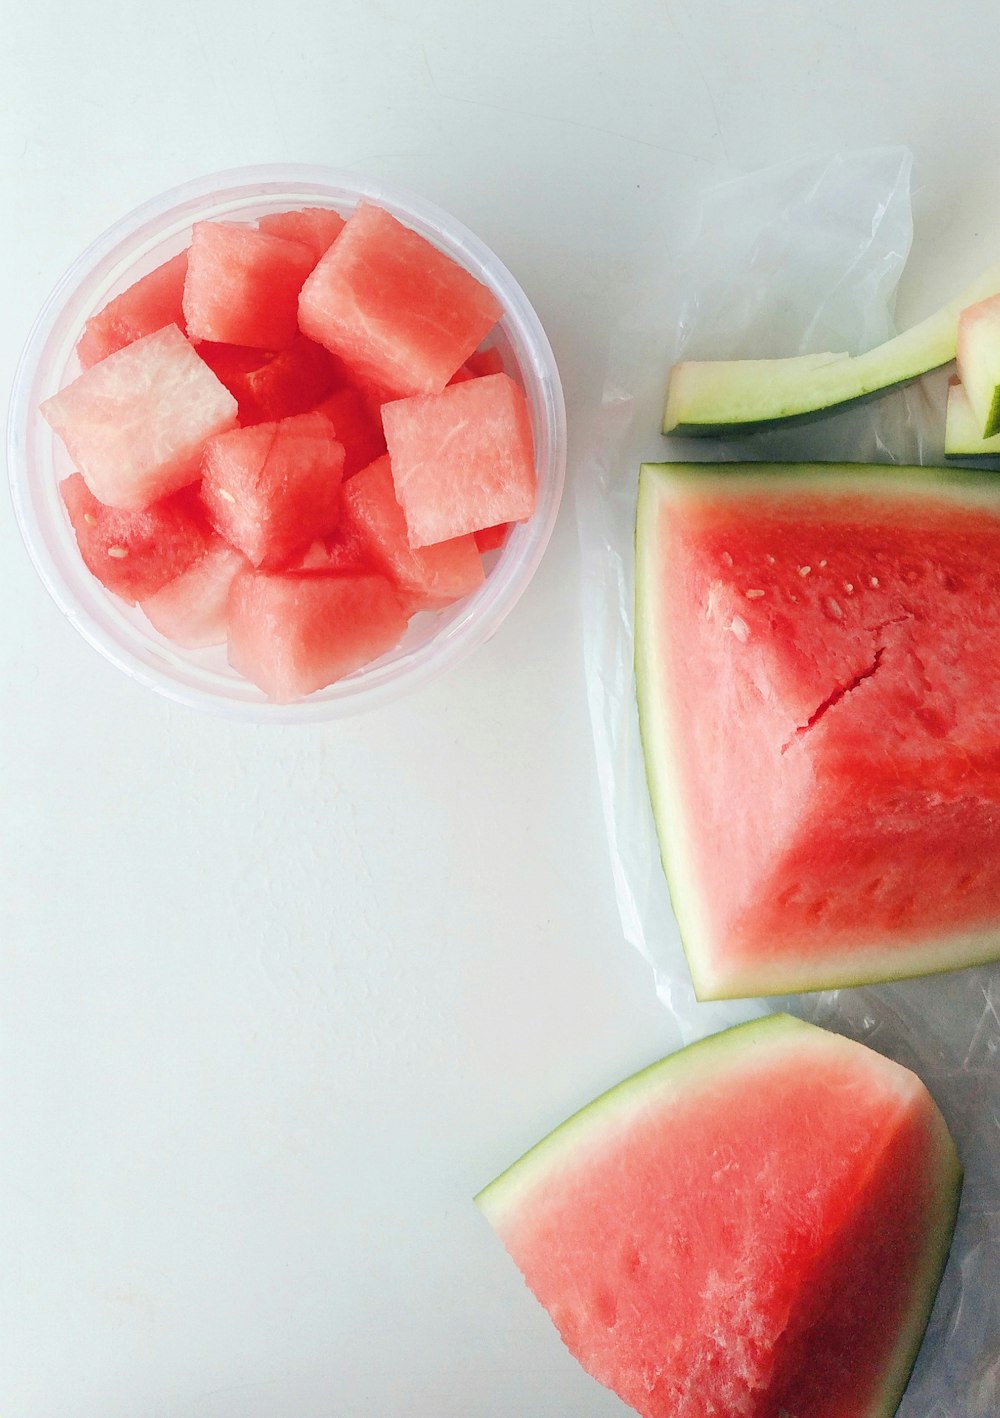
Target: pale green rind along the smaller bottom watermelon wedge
[{"x": 704, "y": 1064}]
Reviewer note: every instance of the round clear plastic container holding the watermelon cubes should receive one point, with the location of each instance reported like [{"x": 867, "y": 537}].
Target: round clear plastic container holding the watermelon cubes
[{"x": 38, "y": 462}]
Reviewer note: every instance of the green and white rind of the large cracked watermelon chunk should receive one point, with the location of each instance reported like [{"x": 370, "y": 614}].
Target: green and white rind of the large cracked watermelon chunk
[{"x": 863, "y": 965}]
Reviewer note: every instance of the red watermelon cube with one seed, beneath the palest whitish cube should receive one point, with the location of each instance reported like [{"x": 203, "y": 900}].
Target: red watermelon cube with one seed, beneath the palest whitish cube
[{"x": 135, "y": 554}]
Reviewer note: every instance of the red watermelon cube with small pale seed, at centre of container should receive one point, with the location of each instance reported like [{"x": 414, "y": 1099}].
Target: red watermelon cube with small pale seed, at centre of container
[{"x": 273, "y": 489}]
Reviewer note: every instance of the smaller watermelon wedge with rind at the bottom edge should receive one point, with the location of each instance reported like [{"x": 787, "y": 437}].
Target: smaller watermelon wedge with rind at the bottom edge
[{"x": 754, "y": 1227}]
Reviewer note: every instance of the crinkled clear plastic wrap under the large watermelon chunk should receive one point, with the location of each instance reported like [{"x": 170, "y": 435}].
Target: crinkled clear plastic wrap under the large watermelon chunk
[{"x": 795, "y": 260}]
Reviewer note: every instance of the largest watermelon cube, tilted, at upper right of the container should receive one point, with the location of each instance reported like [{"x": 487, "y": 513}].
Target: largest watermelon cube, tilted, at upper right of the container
[{"x": 395, "y": 308}]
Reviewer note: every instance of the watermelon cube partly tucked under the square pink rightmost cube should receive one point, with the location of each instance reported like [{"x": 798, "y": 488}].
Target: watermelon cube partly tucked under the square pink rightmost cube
[{"x": 425, "y": 578}]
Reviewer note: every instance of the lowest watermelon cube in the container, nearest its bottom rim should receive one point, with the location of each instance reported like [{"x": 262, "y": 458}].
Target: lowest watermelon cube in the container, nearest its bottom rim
[{"x": 297, "y": 632}]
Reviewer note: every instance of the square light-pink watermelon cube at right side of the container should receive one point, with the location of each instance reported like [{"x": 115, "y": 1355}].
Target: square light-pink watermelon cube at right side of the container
[{"x": 463, "y": 460}]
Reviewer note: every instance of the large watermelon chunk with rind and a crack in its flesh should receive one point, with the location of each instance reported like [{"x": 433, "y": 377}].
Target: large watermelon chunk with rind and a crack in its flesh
[{"x": 819, "y": 697}]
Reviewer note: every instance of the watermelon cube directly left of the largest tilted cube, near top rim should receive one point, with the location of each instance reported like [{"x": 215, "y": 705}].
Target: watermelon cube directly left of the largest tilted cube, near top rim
[{"x": 243, "y": 286}]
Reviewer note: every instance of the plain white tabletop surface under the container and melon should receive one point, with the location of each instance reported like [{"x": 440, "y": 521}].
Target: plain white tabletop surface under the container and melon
[{"x": 276, "y": 1003}]
